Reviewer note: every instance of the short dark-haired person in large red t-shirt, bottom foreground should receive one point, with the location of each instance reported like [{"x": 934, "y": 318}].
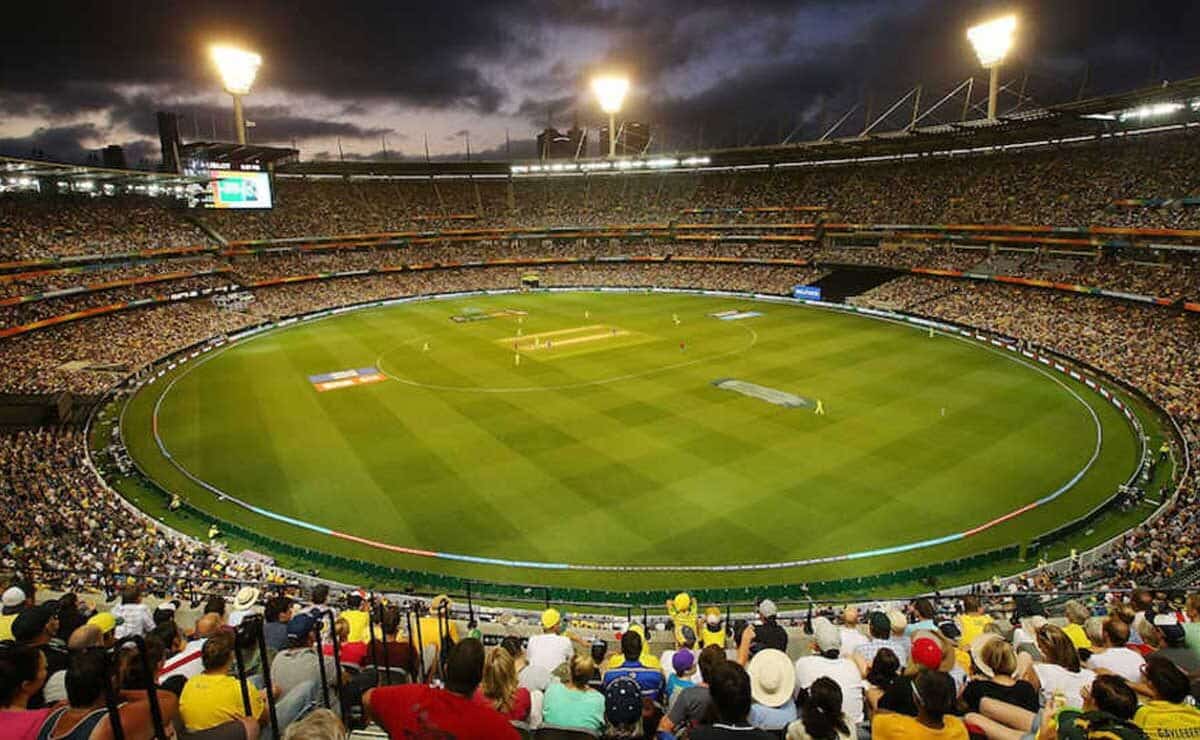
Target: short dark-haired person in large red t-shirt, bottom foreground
[{"x": 422, "y": 711}]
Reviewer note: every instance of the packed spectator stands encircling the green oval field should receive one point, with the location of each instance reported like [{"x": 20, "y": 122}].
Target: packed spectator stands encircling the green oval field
[{"x": 1001, "y": 663}]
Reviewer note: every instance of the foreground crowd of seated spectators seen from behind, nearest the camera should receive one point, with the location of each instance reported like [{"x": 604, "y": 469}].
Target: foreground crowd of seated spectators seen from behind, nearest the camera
[{"x": 979, "y": 666}]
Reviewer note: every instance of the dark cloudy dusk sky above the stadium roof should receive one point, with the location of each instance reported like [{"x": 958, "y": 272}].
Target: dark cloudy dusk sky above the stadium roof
[{"x": 76, "y": 76}]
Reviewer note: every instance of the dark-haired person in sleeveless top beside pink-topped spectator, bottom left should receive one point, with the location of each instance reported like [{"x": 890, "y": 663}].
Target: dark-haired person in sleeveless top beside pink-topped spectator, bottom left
[{"x": 87, "y": 717}]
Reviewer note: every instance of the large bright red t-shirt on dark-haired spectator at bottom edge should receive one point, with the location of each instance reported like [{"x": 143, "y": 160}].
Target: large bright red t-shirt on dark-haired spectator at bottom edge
[{"x": 416, "y": 712}]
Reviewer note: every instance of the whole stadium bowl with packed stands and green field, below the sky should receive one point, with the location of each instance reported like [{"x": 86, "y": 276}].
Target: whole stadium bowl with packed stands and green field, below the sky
[{"x": 1054, "y": 252}]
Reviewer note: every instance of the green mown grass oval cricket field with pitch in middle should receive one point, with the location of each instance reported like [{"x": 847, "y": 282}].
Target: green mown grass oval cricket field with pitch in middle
[{"x": 587, "y": 429}]
